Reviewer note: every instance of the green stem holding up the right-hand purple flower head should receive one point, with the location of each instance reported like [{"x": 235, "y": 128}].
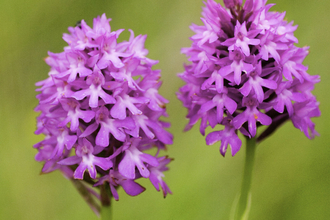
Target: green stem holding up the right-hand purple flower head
[{"x": 245, "y": 197}]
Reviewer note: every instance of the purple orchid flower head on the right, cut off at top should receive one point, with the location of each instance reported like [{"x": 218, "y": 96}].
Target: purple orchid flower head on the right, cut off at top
[{"x": 246, "y": 72}]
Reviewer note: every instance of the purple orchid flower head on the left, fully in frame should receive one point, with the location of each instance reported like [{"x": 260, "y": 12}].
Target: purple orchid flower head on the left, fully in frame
[{"x": 100, "y": 111}]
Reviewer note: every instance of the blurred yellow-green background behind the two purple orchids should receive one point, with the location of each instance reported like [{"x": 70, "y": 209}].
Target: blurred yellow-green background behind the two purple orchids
[{"x": 291, "y": 177}]
